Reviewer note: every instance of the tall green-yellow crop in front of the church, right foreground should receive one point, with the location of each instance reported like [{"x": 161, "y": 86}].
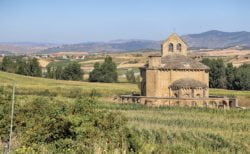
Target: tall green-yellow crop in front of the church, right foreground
[{"x": 186, "y": 130}]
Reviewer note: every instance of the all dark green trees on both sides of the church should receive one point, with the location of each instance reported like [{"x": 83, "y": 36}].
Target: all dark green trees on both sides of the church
[{"x": 221, "y": 75}]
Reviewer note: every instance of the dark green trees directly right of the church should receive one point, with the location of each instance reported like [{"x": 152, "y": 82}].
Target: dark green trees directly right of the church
[{"x": 228, "y": 76}]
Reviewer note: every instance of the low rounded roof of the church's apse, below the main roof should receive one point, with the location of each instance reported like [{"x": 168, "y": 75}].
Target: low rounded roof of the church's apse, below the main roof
[{"x": 187, "y": 83}]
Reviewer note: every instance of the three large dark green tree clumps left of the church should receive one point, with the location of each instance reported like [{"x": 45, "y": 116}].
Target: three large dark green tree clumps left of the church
[{"x": 105, "y": 72}]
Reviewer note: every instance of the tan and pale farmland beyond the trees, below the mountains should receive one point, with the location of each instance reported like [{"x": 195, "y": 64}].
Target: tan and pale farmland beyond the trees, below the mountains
[{"x": 134, "y": 60}]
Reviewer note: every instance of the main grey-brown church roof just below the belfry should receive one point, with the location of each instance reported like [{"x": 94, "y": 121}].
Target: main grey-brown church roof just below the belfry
[{"x": 181, "y": 62}]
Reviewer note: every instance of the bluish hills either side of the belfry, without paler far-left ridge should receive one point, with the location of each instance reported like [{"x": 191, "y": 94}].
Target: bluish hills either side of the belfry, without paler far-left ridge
[{"x": 213, "y": 39}]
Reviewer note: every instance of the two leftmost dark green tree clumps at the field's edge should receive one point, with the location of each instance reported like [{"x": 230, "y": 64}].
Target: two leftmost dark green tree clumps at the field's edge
[{"x": 31, "y": 67}]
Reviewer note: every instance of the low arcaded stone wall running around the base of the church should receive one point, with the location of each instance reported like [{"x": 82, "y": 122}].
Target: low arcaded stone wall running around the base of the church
[{"x": 211, "y": 102}]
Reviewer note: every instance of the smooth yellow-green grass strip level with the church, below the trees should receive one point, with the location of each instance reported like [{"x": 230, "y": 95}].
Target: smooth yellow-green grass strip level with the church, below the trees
[{"x": 37, "y": 84}]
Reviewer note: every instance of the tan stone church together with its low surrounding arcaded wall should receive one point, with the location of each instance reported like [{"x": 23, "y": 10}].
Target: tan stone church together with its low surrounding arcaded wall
[{"x": 174, "y": 79}]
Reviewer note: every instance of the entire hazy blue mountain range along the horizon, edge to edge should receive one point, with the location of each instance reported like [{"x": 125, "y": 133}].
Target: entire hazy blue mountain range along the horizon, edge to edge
[{"x": 213, "y": 39}]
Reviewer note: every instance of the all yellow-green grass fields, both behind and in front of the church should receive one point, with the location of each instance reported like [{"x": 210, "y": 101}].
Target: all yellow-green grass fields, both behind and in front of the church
[{"x": 179, "y": 130}]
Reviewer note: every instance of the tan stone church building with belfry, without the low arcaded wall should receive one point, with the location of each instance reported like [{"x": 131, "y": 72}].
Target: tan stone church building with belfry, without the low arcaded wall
[{"x": 173, "y": 74}]
